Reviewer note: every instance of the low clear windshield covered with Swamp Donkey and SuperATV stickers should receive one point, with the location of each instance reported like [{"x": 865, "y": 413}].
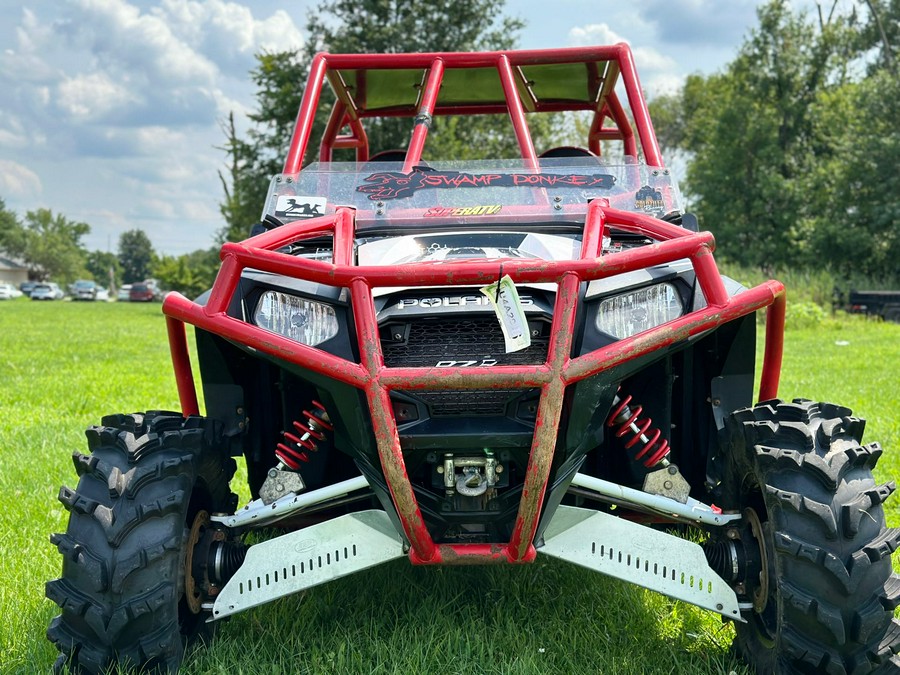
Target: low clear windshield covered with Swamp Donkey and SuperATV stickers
[{"x": 482, "y": 192}]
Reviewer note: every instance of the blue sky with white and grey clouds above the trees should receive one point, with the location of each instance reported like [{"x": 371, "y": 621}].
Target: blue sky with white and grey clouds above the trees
[{"x": 111, "y": 111}]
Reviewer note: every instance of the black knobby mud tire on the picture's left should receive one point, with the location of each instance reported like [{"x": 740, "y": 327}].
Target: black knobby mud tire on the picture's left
[{"x": 122, "y": 588}]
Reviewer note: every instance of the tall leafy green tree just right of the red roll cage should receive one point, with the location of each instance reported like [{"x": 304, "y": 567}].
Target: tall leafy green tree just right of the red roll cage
[{"x": 751, "y": 132}]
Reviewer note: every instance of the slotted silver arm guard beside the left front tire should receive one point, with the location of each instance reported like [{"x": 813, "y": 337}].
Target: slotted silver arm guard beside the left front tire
[{"x": 308, "y": 557}]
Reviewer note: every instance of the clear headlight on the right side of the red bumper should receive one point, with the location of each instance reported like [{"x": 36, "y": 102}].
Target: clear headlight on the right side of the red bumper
[{"x": 631, "y": 313}]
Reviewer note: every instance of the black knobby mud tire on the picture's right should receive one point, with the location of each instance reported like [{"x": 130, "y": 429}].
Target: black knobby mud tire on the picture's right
[{"x": 831, "y": 592}]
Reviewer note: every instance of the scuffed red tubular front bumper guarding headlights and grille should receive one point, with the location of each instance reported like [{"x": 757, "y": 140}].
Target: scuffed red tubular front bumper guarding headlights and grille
[{"x": 552, "y": 377}]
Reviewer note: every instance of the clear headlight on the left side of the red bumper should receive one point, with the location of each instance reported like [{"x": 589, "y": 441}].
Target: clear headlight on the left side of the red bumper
[{"x": 305, "y": 321}]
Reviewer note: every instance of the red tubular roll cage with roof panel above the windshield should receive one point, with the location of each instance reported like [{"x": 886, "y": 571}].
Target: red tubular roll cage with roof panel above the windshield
[{"x": 513, "y": 82}]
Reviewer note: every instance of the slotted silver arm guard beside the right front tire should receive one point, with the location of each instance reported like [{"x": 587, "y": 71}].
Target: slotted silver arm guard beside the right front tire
[{"x": 638, "y": 554}]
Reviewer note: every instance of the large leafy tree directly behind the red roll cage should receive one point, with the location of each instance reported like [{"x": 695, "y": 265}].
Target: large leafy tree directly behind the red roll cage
[{"x": 366, "y": 26}]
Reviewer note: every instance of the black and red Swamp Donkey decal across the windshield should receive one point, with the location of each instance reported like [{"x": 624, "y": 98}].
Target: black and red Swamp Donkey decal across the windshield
[{"x": 396, "y": 185}]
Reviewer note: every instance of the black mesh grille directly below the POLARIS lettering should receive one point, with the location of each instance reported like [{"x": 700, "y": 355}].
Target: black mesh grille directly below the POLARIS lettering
[{"x": 445, "y": 339}]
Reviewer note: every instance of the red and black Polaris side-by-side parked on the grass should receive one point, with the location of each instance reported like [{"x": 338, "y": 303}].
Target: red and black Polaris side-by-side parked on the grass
[{"x": 479, "y": 362}]
